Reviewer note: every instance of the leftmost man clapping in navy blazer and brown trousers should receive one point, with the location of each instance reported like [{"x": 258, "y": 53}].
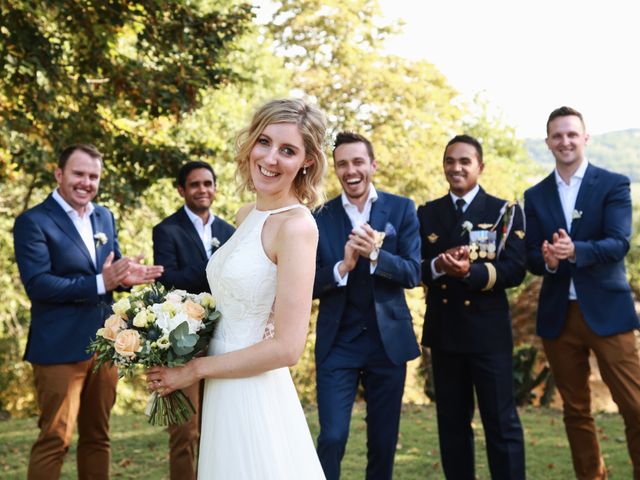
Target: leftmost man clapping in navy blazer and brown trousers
[{"x": 70, "y": 262}]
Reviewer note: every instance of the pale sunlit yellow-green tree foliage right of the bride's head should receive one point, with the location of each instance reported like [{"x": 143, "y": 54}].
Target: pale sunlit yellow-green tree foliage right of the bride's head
[{"x": 407, "y": 108}]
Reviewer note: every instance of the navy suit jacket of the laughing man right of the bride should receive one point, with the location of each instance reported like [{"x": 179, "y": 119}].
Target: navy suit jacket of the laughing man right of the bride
[{"x": 398, "y": 268}]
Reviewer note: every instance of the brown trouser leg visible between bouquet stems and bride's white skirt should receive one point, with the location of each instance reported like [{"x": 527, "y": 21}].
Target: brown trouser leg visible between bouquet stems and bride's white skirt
[{"x": 184, "y": 439}]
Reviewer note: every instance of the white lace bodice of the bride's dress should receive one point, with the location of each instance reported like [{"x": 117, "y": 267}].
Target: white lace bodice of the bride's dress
[{"x": 242, "y": 279}]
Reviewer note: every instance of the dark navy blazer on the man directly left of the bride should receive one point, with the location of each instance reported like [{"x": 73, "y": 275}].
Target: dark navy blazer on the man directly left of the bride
[{"x": 178, "y": 248}]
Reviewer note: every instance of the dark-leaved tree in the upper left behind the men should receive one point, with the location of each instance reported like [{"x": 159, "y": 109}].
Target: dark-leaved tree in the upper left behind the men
[{"x": 115, "y": 73}]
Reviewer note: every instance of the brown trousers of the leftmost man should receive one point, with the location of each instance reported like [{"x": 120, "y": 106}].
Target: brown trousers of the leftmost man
[{"x": 67, "y": 393}]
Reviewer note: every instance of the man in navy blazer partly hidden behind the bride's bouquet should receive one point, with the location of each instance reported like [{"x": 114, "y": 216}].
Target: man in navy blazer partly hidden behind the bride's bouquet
[{"x": 183, "y": 244}]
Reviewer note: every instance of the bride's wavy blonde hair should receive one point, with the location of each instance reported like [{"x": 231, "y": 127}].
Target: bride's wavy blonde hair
[{"x": 311, "y": 125}]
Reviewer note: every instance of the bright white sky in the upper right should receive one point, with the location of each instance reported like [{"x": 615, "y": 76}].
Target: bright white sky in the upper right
[{"x": 529, "y": 57}]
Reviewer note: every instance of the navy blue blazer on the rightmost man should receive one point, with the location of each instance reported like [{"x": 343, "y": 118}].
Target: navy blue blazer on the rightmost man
[{"x": 600, "y": 230}]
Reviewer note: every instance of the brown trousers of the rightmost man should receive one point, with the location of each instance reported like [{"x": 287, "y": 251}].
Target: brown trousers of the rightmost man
[{"x": 619, "y": 366}]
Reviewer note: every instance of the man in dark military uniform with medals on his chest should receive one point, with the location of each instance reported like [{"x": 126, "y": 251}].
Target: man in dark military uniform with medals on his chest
[{"x": 473, "y": 250}]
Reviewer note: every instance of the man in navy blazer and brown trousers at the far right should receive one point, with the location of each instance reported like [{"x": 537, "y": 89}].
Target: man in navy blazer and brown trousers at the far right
[{"x": 578, "y": 231}]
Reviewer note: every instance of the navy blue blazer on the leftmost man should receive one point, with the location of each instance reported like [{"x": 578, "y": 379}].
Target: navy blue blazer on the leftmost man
[{"x": 60, "y": 280}]
